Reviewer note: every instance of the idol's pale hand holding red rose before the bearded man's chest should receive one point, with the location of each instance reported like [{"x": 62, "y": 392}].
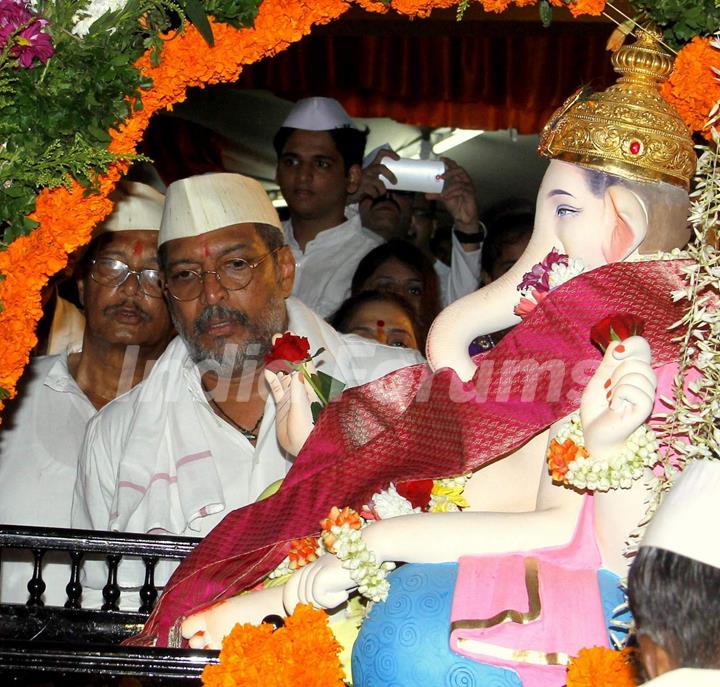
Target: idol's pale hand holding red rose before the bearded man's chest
[{"x": 293, "y": 399}]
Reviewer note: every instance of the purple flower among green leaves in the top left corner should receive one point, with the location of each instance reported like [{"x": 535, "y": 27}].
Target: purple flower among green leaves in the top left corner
[{"x": 25, "y": 29}]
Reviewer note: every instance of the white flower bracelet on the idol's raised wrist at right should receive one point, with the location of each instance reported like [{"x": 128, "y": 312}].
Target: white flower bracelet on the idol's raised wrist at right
[{"x": 596, "y": 474}]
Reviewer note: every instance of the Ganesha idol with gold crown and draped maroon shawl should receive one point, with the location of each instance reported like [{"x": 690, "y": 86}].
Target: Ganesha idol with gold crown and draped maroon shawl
[{"x": 541, "y": 449}]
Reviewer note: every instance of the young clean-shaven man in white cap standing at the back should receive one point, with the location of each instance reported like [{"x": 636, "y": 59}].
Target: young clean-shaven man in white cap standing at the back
[{"x": 320, "y": 152}]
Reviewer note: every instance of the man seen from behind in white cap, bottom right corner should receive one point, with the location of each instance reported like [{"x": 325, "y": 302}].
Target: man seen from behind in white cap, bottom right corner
[{"x": 674, "y": 583}]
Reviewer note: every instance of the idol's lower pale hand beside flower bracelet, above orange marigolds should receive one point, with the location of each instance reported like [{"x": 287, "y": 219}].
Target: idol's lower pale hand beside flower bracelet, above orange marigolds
[{"x": 324, "y": 583}]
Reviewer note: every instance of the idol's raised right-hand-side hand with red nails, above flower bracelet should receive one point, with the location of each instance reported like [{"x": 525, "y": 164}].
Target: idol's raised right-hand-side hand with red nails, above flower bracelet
[{"x": 619, "y": 397}]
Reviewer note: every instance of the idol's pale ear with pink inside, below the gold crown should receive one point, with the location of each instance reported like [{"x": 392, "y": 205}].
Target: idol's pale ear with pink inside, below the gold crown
[{"x": 626, "y": 223}]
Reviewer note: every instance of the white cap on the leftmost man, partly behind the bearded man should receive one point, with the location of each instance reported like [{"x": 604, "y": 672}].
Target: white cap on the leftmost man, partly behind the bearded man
[{"x": 137, "y": 207}]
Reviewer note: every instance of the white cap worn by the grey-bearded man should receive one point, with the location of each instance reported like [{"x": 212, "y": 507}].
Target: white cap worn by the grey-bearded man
[{"x": 204, "y": 203}]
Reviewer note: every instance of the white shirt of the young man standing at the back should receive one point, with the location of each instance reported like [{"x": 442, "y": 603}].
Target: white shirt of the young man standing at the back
[{"x": 324, "y": 271}]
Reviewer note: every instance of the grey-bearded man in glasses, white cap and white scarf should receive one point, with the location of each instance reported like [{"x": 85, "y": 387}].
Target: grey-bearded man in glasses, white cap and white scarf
[{"x": 198, "y": 438}]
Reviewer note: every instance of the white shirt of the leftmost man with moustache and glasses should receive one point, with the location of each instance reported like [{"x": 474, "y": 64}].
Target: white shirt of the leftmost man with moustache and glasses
[{"x": 40, "y": 441}]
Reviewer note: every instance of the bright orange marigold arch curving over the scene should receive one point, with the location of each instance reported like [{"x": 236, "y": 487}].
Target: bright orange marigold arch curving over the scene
[{"x": 66, "y": 217}]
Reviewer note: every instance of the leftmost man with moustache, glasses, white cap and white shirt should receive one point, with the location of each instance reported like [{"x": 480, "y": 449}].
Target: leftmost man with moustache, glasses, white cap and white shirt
[{"x": 127, "y": 329}]
